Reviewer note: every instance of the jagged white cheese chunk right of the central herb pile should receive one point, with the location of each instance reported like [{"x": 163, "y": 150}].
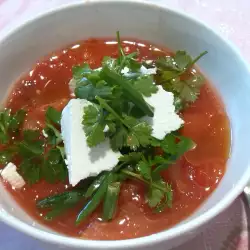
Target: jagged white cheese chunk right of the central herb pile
[{"x": 165, "y": 119}]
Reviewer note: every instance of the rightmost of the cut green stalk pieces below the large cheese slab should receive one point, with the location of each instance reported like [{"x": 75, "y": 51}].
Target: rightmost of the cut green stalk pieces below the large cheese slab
[{"x": 111, "y": 200}]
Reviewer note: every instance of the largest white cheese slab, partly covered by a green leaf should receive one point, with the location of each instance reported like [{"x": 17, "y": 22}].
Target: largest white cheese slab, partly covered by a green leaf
[{"x": 83, "y": 161}]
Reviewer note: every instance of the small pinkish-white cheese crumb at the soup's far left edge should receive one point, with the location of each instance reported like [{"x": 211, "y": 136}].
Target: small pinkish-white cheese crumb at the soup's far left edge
[{"x": 10, "y": 175}]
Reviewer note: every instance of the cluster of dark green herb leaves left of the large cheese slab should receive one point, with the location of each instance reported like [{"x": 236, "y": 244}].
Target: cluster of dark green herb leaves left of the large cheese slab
[{"x": 40, "y": 158}]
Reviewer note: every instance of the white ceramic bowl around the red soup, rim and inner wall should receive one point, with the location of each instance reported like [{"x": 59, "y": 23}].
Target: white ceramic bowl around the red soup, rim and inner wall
[{"x": 223, "y": 65}]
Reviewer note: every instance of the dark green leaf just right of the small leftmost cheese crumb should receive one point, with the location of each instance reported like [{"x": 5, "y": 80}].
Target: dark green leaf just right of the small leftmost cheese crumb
[{"x": 30, "y": 171}]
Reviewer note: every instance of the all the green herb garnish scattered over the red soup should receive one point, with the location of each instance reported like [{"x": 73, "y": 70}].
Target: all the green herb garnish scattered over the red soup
[{"x": 116, "y": 94}]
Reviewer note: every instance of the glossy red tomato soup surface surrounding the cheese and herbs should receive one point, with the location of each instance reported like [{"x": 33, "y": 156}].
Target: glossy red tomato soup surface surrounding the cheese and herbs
[{"x": 194, "y": 177}]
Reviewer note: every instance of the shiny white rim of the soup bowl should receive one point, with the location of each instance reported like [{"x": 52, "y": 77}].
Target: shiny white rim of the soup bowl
[{"x": 160, "y": 236}]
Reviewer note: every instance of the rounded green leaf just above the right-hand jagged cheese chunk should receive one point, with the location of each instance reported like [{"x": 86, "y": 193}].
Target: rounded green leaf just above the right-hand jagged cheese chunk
[{"x": 146, "y": 86}]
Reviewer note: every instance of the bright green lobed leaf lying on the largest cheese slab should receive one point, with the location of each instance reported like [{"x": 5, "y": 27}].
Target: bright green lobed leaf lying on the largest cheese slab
[{"x": 93, "y": 125}]
